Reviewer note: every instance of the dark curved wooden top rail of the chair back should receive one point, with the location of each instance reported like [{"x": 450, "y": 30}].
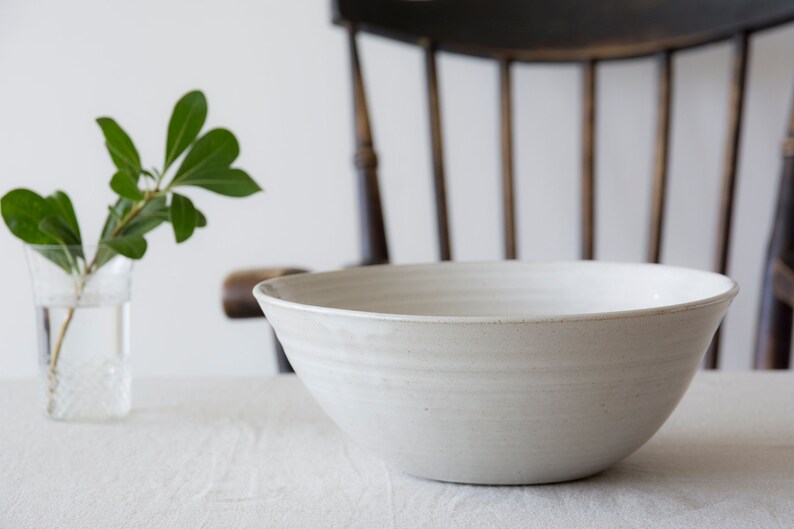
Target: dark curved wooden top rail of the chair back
[{"x": 562, "y": 30}]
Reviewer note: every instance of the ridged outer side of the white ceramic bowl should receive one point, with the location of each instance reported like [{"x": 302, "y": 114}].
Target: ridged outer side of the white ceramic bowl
[{"x": 497, "y": 401}]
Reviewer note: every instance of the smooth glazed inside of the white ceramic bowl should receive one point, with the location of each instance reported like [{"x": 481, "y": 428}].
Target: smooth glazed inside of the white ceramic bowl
[{"x": 504, "y": 290}]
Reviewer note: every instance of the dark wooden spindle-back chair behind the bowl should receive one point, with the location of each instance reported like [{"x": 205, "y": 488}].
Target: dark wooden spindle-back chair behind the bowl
[{"x": 587, "y": 33}]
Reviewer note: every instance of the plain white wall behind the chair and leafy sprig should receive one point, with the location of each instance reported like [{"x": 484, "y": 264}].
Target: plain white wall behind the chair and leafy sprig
[{"x": 276, "y": 74}]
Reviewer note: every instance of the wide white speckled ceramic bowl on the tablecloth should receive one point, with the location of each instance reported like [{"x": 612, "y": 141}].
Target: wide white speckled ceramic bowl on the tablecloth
[{"x": 498, "y": 373}]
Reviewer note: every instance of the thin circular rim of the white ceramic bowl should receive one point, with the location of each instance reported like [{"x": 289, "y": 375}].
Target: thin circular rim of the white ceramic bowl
[{"x": 264, "y": 298}]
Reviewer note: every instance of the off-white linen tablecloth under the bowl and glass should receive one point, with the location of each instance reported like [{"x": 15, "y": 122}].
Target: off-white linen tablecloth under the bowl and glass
[{"x": 246, "y": 453}]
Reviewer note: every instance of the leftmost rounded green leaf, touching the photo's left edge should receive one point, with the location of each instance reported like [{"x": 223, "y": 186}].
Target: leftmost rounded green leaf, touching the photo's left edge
[{"x": 23, "y": 210}]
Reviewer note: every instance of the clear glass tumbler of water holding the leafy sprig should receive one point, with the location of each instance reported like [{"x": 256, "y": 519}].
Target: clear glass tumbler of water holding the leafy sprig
[{"x": 82, "y": 298}]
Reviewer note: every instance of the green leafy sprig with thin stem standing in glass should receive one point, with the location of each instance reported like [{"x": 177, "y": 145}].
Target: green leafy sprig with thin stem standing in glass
[{"x": 146, "y": 199}]
